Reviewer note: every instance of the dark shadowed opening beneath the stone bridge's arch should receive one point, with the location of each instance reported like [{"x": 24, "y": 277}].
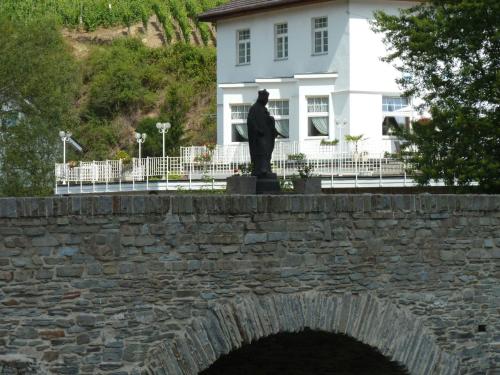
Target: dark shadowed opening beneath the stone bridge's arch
[{"x": 305, "y": 353}]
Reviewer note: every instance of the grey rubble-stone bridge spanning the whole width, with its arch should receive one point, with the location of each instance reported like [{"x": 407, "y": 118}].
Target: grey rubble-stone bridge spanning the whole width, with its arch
[{"x": 167, "y": 284}]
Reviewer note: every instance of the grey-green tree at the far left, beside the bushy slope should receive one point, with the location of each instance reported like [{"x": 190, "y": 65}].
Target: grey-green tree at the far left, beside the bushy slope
[{"x": 39, "y": 80}]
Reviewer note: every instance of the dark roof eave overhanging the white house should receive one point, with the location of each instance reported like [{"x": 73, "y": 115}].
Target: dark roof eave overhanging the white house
[{"x": 241, "y": 7}]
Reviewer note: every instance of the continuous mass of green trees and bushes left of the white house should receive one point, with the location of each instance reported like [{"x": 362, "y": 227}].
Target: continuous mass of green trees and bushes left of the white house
[{"x": 101, "y": 99}]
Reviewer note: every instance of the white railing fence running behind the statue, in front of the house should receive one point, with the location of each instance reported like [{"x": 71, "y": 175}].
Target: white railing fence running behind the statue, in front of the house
[{"x": 202, "y": 164}]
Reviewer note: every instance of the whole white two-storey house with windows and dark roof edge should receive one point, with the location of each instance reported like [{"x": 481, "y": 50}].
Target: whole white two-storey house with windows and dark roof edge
[{"x": 320, "y": 62}]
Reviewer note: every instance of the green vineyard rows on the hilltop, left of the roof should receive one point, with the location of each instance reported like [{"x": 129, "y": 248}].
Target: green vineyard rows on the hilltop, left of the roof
[{"x": 89, "y": 15}]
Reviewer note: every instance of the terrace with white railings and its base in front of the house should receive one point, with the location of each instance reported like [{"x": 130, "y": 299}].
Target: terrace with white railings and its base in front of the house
[{"x": 199, "y": 167}]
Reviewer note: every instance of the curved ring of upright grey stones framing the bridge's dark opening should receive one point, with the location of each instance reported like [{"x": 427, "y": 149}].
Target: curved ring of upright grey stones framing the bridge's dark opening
[{"x": 226, "y": 326}]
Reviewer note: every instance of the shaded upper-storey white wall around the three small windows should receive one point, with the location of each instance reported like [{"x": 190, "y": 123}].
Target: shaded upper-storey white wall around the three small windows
[{"x": 300, "y": 58}]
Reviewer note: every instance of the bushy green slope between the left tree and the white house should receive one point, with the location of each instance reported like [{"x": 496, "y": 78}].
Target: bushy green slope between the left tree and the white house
[{"x": 127, "y": 80}]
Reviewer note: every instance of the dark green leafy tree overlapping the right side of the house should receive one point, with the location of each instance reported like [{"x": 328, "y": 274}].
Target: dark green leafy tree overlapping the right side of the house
[{"x": 448, "y": 52}]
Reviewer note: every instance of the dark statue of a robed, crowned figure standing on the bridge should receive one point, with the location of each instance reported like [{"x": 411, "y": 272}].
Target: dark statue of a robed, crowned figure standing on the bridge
[{"x": 261, "y": 136}]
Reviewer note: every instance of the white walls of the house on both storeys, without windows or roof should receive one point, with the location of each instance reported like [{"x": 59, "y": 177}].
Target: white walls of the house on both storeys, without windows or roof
[{"x": 355, "y": 53}]
